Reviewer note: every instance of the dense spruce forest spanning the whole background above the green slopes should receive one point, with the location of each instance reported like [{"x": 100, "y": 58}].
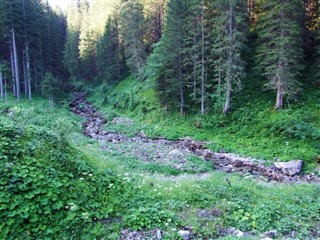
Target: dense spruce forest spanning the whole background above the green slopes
[{"x": 195, "y": 53}]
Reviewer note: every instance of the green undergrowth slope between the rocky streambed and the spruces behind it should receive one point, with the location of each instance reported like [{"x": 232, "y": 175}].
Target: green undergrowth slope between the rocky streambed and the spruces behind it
[{"x": 253, "y": 128}]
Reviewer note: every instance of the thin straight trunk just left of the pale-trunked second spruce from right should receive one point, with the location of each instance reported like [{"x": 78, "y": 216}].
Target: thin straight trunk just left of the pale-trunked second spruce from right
[{"x": 202, "y": 62}]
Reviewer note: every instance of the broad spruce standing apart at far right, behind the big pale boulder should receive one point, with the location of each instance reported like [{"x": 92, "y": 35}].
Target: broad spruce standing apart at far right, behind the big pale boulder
[{"x": 279, "y": 55}]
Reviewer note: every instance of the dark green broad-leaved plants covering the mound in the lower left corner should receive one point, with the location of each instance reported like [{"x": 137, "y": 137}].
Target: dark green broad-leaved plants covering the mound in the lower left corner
[{"x": 48, "y": 190}]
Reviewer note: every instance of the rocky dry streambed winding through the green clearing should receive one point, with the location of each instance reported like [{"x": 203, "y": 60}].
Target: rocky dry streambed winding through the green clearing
[{"x": 177, "y": 153}]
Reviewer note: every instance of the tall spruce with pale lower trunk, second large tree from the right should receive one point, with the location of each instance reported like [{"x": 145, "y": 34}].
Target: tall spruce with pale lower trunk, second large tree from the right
[{"x": 230, "y": 37}]
